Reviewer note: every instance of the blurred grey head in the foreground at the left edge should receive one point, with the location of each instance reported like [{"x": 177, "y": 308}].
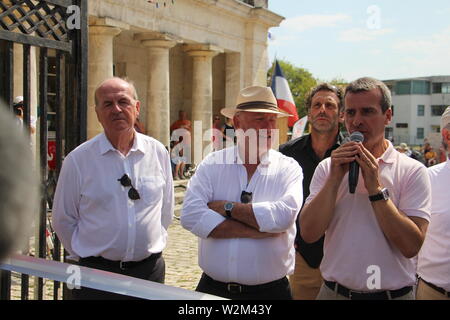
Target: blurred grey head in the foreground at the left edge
[{"x": 18, "y": 187}]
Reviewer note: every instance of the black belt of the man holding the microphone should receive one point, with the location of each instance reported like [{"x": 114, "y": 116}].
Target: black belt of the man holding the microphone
[{"x": 356, "y": 295}]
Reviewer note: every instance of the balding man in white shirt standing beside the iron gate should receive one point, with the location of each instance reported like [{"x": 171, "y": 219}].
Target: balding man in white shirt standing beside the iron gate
[{"x": 114, "y": 198}]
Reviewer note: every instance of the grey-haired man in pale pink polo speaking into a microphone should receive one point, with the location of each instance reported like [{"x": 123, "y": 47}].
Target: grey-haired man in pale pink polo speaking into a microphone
[{"x": 372, "y": 234}]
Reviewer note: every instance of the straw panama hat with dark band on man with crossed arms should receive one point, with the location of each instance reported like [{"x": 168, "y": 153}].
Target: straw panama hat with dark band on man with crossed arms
[{"x": 255, "y": 99}]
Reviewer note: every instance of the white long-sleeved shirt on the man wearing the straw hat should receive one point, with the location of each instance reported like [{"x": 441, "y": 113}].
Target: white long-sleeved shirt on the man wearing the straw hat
[{"x": 277, "y": 198}]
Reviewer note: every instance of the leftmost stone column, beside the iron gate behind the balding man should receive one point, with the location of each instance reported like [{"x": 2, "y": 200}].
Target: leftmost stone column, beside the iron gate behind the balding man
[{"x": 100, "y": 68}]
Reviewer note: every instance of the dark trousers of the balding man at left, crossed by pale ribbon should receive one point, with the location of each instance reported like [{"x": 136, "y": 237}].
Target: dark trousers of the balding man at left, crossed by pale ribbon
[{"x": 150, "y": 269}]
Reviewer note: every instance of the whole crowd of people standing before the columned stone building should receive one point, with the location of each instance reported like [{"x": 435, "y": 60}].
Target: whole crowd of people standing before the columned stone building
[{"x": 271, "y": 224}]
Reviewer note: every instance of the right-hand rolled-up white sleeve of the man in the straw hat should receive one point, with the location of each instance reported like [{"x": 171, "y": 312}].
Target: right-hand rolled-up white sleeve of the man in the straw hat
[{"x": 278, "y": 216}]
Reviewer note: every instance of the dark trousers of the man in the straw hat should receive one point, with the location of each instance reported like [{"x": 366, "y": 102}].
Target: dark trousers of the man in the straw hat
[{"x": 276, "y": 290}]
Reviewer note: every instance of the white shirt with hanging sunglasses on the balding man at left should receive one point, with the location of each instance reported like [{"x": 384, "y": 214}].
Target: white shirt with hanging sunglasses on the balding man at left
[{"x": 92, "y": 214}]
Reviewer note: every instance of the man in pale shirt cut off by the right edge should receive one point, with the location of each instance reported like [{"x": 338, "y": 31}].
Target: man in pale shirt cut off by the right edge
[{"x": 434, "y": 258}]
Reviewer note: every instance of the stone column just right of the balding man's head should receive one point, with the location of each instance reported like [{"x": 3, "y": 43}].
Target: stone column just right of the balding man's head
[{"x": 158, "y": 84}]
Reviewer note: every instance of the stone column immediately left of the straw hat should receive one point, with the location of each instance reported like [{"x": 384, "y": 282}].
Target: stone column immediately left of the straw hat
[{"x": 201, "y": 94}]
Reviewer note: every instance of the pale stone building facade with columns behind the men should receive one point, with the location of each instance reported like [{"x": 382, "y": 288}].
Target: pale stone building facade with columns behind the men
[{"x": 192, "y": 55}]
